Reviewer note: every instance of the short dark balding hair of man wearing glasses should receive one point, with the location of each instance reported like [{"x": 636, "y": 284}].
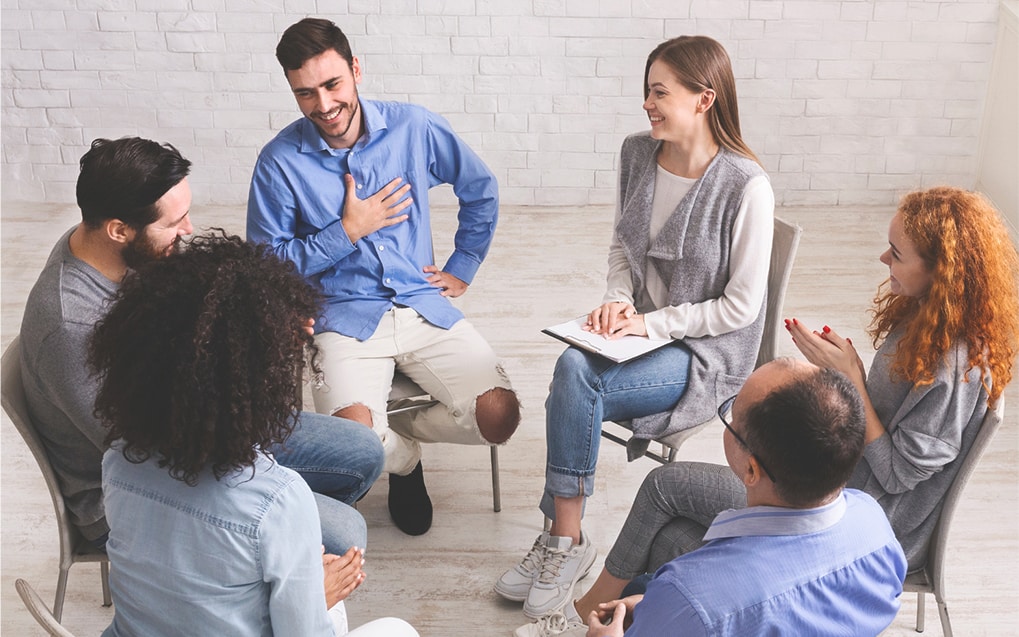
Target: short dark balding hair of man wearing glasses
[{"x": 810, "y": 434}]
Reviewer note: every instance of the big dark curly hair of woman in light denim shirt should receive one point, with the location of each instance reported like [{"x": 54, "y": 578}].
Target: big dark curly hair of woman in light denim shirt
[{"x": 200, "y": 354}]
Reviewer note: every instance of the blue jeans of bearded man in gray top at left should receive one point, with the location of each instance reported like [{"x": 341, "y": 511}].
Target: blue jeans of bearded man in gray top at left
[{"x": 340, "y": 460}]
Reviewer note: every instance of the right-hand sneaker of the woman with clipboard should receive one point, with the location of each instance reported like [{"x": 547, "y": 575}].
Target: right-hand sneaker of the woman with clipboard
[{"x": 563, "y": 566}]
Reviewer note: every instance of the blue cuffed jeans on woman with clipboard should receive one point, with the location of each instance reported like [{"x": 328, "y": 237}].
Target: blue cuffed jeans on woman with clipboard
[{"x": 587, "y": 390}]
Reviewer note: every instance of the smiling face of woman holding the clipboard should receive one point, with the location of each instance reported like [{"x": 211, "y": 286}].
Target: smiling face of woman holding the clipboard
[{"x": 674, "y": 111}]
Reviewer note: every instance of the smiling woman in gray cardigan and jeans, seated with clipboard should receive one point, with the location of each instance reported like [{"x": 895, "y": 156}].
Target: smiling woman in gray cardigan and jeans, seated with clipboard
[{"x": 688, "y": 261}]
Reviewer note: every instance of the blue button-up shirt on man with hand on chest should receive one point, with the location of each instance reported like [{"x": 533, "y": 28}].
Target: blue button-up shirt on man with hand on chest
[{"x": 297, "y": 202}]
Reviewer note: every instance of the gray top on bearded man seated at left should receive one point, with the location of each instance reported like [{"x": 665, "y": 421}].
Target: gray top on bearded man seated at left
[{"x": 63, "y": 309}]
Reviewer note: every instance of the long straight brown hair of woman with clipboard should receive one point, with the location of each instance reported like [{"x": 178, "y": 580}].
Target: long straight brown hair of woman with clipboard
[{"x": 701, "y": 64}]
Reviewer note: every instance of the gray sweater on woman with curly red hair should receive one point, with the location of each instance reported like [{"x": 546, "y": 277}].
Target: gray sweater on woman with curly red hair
[{"x": 931, "y": 429}]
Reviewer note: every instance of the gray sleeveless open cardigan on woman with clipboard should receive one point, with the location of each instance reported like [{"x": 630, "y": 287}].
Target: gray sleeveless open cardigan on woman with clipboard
[{"x": 691, "y": 254}]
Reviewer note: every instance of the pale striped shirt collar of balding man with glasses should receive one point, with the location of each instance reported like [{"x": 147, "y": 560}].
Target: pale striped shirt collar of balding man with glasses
[{"x": 776, "y": 520}]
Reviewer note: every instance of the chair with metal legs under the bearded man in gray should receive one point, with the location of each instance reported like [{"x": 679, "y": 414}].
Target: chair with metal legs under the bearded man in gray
[{"x": 74, "y": 548}]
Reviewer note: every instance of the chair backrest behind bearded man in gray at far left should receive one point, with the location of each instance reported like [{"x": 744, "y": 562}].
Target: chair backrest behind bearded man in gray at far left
[{"x": 17, "y": 406}]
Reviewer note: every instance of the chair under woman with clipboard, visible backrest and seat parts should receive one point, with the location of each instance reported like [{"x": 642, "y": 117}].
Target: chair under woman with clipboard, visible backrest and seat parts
[{"x": 786, "y": 240}]
